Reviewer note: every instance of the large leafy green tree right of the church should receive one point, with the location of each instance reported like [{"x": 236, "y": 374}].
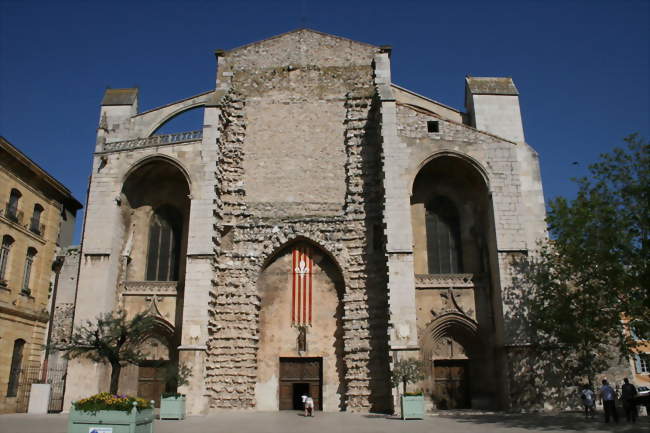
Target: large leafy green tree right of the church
[{"x": 592, "y": 277}]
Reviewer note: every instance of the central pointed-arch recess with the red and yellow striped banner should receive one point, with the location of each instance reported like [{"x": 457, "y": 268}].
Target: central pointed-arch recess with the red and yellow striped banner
[{"x": 301, "y": 291}]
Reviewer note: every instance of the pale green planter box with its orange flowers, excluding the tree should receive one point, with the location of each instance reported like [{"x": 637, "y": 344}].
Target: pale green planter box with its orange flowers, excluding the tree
[{"x": 111, "y": 412}]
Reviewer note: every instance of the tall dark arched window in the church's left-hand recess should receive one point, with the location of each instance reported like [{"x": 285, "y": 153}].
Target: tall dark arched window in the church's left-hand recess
[{"x": 164, "y": 245}]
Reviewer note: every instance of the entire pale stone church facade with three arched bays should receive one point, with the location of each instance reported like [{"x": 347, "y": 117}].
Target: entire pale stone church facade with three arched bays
[{"x": 321, "y": 225}]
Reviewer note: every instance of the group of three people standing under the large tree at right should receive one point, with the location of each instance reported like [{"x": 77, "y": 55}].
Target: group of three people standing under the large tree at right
[{"x": 608, "y": 396}]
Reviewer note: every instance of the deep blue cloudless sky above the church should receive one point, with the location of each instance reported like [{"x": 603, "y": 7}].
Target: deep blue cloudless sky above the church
[{"x": 581, "y": 66}]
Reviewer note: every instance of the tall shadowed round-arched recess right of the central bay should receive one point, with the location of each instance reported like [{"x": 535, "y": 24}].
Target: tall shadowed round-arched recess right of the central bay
[{"x": 451, "y": 217}]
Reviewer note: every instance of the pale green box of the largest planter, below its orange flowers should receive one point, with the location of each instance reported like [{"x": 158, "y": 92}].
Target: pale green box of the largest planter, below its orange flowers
[{"x": 113, "y": 421}]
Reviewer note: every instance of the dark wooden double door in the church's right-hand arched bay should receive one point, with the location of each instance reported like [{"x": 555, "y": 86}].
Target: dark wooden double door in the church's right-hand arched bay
[{"x": 451, "y": 387}]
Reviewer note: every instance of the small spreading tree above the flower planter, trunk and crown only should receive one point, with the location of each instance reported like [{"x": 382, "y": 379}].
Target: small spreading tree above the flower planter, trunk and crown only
[{"x": 110, "y": 338}]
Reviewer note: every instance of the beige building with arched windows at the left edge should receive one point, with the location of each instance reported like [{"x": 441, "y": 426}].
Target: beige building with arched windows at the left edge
[{"x": 37, "y": 215}]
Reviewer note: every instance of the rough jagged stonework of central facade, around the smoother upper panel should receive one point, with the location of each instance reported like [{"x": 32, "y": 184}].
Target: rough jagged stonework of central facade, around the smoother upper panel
[{"x": 250, "y": 232}]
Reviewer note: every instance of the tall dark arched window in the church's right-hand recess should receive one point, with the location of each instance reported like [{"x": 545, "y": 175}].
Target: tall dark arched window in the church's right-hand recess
[{"x": 443, "y": 237}]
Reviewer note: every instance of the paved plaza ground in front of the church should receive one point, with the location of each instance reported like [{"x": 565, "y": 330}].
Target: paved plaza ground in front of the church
[{"x": 288, "y": 422}]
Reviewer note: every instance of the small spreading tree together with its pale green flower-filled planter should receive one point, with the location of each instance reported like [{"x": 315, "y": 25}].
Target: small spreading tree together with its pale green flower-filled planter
[{"x": 113, "y": 339}]
